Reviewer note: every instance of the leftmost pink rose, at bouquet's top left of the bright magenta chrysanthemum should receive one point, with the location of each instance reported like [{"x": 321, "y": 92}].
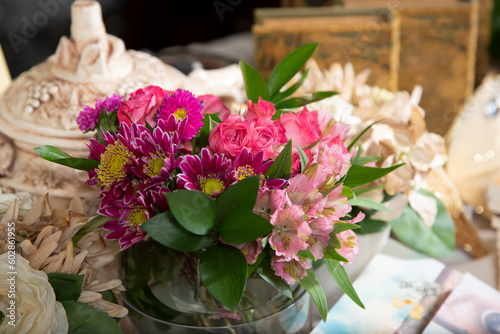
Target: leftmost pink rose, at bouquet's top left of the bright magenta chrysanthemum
[{"x": 142, "y": 105}]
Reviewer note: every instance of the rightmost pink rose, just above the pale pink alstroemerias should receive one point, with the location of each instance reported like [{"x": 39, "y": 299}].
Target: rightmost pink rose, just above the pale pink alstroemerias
[{"x": 302, "y": 128}]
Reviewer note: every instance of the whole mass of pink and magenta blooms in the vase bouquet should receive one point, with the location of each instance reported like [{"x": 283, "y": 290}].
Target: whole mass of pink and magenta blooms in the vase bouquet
[{"x": 151, "y": 154}]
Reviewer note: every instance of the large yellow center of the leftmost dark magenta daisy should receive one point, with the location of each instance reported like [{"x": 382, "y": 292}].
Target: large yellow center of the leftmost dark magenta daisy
[{"x": 113, "y": 160}]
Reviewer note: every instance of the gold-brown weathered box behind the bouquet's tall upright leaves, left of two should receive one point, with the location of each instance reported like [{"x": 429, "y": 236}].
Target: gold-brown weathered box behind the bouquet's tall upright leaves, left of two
[{"x": 367, "y": 39}]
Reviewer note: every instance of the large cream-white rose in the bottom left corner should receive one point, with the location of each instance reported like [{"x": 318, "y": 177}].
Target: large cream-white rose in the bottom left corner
[{"x": 36, "y": 308}]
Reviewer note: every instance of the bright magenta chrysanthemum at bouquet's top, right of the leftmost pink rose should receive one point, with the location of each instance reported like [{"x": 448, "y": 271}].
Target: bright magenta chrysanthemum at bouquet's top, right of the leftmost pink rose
[{"x": 183, "y": 104}]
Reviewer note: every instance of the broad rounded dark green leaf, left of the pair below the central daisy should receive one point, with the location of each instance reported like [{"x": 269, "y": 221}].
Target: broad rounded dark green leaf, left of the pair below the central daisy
[{"x": 194, "y": 210}]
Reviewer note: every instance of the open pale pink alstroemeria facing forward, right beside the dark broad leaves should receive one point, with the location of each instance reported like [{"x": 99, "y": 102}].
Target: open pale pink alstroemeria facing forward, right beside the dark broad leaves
[{"x": 290, "y": 233}]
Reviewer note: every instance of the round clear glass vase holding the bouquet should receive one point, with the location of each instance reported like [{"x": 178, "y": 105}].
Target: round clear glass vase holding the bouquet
[{"x": 165, "y": 295}]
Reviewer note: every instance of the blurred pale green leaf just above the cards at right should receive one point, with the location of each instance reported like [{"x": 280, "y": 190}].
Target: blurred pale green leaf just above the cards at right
[{"x": 438, "y": 241}]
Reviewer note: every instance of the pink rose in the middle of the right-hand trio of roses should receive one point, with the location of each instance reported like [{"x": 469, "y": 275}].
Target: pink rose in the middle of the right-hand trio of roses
[{"x": 268, "y": 134}]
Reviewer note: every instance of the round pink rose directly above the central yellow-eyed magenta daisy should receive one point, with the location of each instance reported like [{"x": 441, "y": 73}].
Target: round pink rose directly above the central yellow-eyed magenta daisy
[{"x": 232, "y": 135}]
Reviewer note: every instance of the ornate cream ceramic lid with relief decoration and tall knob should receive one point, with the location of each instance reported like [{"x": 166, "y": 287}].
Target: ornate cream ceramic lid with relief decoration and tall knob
[{"x": 42, "y": 104}]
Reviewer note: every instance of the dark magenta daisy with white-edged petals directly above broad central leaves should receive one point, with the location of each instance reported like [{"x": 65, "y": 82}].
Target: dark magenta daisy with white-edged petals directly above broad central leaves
[{"x": 210, "y": 174}]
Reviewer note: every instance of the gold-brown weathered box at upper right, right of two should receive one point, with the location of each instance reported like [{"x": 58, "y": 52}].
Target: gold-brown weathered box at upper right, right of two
[{"x": 438, "y": 48}]
